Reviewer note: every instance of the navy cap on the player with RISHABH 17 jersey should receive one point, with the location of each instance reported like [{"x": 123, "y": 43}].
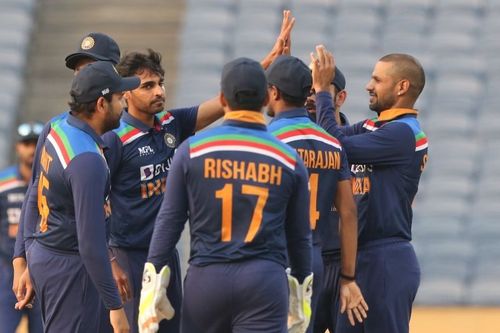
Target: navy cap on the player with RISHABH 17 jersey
[{"x": 243, "y": 82}]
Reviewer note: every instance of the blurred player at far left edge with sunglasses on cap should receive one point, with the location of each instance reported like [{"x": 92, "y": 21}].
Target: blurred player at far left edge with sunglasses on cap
[{"x": 13, "y": 186}]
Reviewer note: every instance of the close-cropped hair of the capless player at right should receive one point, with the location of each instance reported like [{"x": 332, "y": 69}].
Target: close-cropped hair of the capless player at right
[{"x": 409, "y": 68}]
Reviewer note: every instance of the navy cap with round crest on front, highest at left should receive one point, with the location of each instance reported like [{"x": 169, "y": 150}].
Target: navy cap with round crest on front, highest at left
[{"x": 97, "y": 46}]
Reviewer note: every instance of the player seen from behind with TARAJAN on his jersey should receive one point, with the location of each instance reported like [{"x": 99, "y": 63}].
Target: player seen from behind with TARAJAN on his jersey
[{"x": 329, "y": 177}]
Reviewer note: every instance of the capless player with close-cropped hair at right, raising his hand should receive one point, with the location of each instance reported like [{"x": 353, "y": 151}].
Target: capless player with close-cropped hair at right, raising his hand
[{"x": 396, "y": 153}]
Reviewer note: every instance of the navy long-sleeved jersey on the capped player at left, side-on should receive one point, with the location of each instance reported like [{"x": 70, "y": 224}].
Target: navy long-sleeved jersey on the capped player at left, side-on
[{"x": 70, "y": 193}]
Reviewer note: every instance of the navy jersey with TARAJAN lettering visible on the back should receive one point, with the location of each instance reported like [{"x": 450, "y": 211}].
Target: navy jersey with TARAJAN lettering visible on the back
[{"x": 323, "y": 157}]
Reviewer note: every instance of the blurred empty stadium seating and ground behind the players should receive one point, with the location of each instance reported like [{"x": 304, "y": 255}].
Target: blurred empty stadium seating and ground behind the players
[{"x": 456, "y": 225}]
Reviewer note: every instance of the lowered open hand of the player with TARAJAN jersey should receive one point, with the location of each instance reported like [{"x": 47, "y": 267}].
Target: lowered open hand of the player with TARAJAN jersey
[{"x": 352, "y": 301}]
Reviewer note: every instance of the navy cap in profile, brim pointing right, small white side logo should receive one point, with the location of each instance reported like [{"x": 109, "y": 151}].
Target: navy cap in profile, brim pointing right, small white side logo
[{"x": 98, "y": 79}]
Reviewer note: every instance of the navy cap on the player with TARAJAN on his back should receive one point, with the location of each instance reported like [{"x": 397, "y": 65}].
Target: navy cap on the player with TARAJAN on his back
[{"x": 291, "y": 76}]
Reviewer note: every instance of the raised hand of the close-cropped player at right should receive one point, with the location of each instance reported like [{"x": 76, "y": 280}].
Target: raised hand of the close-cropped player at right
[{"x": 323, "y": 69}]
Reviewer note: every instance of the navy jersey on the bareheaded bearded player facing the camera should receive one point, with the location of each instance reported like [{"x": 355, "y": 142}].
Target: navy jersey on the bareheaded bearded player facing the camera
[{"x": 139, "y": 159}]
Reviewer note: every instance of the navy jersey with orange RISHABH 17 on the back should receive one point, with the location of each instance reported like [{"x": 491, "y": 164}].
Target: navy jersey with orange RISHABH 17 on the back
[{"x": 245, "y": 194}]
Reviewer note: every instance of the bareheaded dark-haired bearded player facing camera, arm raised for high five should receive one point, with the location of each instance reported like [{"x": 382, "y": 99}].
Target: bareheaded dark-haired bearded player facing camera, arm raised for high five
[{"x": 140, "y": 156}]
